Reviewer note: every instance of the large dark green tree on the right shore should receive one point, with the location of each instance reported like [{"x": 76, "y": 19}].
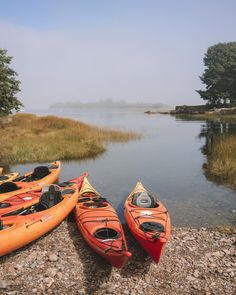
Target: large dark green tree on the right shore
[{"x": 220, "y": 75}]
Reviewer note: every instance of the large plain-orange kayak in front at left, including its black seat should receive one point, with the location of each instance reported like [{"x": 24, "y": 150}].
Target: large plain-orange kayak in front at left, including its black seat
[{"x": 17, "y": 229}]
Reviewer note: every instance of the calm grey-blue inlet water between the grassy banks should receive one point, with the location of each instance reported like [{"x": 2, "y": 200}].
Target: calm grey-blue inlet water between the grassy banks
[{"x": 168, "y": 160}]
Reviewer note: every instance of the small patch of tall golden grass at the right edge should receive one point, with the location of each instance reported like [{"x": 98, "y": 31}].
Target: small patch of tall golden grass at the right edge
[{"x": 221, "y": 164}]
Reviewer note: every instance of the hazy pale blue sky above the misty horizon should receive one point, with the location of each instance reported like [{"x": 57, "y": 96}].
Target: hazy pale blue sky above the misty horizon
[{"x": 121, "y": 49}]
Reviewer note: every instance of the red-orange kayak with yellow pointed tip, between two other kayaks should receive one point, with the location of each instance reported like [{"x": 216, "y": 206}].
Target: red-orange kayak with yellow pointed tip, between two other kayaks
[{"x": 100, "y": 226}]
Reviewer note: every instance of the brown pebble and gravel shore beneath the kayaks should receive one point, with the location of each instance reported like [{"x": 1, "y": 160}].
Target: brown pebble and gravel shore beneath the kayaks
[{"x": 196, "y": 261}]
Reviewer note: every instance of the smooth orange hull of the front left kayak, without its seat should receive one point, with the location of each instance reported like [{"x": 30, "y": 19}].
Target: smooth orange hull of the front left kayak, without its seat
[{"x": 19, "y": 231}]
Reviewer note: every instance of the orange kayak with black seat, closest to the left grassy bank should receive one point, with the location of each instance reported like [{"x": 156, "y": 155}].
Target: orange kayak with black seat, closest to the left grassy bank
[{"x": 34, "y": 180}]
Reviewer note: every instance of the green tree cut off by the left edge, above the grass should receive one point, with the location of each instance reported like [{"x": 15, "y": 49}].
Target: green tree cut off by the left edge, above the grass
[{"x": 9, "y": 86}]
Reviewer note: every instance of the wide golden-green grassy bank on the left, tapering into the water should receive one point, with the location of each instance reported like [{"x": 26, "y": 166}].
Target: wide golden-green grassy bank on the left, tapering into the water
[{"x": 30, "y": 138}]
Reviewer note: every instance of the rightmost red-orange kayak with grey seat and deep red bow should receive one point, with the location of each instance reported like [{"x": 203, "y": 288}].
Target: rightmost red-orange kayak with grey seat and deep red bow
[{"x": 148, "y": 221}]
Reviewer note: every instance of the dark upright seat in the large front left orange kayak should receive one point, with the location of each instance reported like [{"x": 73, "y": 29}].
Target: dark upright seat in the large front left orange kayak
[{"x": 49, "y": 199}]
